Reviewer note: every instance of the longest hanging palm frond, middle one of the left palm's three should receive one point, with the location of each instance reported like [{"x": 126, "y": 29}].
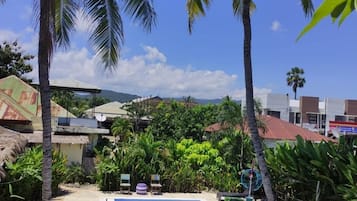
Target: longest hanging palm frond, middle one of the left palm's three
[{"x": 108, "y": 35}]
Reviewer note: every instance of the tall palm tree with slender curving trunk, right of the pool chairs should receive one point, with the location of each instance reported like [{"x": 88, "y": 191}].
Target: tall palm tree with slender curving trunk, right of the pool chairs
[{"x": 243, "y": 8}]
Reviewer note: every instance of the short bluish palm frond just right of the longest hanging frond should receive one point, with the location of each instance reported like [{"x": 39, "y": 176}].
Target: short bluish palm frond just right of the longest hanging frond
[{"x": 142, "y": 11}]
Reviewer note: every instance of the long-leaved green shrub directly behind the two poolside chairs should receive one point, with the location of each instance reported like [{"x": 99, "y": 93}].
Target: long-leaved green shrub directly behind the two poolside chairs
[{"x": 140, "y": 156}]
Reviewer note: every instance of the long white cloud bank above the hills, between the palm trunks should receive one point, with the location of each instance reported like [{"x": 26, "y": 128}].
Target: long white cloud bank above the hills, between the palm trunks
[{"x": 146, "y": 74}]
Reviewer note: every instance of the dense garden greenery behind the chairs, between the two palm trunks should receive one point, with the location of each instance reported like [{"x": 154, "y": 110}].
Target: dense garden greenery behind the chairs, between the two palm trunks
[{"x": 176, "y": 146}]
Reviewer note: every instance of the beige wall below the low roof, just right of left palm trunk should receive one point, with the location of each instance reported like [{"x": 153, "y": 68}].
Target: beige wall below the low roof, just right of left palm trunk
[{"x": 73, "y": 152}]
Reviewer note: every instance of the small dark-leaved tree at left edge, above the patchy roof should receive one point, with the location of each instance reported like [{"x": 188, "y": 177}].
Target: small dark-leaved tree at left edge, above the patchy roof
[{"x": 13, "y": 61}]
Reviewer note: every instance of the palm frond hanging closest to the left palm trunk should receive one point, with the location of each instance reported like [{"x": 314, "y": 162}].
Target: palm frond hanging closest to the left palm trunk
[{"x": 65, "y": 16}]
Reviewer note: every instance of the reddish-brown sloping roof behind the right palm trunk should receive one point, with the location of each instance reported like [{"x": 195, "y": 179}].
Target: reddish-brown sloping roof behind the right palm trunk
[{"x": 277, "y": 129}]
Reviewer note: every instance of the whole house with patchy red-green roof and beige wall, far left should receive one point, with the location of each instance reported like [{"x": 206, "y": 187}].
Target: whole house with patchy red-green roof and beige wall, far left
[{"x": 20, "y": 110}]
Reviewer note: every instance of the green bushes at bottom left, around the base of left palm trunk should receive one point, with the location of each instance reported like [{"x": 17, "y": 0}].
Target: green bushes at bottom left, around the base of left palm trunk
[{"x": 24, "y": 176}]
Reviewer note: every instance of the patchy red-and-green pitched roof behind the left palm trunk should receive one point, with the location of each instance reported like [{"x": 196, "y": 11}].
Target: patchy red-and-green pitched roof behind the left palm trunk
[{"x": 20, "y": 105}]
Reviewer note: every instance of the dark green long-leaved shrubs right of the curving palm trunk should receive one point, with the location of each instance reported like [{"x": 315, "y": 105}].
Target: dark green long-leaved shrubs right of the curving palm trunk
[{"x": 309, "y": 171}]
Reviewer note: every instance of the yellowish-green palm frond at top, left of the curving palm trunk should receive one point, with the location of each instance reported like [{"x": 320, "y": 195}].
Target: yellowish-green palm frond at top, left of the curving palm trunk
[{"x": 194, "y": 9}]
